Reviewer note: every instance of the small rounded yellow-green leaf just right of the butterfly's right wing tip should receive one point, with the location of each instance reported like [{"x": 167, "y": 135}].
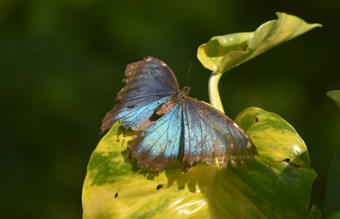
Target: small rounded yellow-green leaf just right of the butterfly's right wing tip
[{"x": 275, "y": 139}]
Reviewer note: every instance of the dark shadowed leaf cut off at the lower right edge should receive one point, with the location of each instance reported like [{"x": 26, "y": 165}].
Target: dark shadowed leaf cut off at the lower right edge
[{"x": 332, "y": 206}]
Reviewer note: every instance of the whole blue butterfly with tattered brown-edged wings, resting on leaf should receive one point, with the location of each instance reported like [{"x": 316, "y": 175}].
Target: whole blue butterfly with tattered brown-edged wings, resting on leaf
[{"x": 173, "y": 125}]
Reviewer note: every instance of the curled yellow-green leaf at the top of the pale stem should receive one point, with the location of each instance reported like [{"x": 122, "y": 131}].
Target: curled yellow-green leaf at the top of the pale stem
[{"x": 223, "y": 53}]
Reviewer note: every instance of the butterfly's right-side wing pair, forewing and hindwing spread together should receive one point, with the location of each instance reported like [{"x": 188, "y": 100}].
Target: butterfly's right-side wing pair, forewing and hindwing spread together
[{"x": 193, "y": 131}]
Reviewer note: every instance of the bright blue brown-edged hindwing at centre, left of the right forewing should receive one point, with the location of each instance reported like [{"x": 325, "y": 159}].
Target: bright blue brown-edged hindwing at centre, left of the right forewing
[{"x": 160, "y": 144}]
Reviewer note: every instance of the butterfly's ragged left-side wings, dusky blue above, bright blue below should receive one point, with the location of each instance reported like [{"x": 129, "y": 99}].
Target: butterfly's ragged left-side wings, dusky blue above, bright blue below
[{"x": 149, "y": 83}]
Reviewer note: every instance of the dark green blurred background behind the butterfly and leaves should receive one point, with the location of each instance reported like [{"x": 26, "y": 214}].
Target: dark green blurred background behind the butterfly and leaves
[{"x": 62, "y": 62}]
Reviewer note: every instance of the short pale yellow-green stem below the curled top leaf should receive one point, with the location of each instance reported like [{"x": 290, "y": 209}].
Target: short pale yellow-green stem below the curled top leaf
[{"x": 214, "y": 95}]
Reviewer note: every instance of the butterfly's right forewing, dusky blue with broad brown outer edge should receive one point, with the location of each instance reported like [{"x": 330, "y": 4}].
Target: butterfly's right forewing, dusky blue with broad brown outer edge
[{"x": 210, "y": 134}]
